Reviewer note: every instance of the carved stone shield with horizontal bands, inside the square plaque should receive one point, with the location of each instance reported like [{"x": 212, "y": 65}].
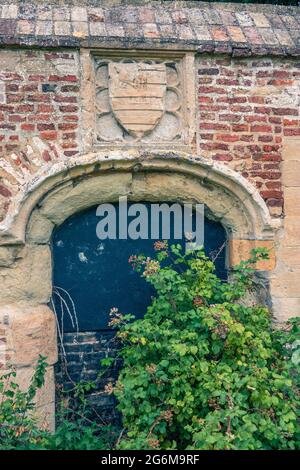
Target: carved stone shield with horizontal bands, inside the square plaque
[{"x": 137, "y": 95}]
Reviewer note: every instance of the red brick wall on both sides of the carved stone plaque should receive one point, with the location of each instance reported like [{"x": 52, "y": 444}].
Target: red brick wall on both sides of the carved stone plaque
[{"x": 246, "y": 108}]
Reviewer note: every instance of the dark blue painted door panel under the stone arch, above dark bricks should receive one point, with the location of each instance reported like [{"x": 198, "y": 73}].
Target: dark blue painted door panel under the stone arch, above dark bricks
[{"x": 96, "y": 274}]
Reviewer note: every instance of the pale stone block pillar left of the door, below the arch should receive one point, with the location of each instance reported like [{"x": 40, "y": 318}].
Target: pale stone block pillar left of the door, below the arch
[{"x": 27, "y": 324}]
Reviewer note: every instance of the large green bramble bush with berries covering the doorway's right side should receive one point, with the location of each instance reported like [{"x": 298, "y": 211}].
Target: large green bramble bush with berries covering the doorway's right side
[{"x": 204, "y": 369}]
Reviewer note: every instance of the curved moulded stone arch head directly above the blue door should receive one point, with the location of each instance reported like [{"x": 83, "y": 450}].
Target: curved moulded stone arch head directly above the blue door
[{"x": 229, "y": 197}]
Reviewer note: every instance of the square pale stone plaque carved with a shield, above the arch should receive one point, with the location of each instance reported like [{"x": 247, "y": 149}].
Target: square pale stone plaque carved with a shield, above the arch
[{"x": 140, "y": 101}]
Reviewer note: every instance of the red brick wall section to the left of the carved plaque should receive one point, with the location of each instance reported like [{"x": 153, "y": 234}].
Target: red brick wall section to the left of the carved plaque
[{"x": 39, "y": 101}]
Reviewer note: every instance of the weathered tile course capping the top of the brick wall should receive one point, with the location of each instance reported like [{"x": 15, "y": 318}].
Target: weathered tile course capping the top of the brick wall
[{"x": 207, "y": 27}]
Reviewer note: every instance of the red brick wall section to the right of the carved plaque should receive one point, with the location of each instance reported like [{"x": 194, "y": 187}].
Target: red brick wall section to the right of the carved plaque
[{"x": 246, "y": 107}]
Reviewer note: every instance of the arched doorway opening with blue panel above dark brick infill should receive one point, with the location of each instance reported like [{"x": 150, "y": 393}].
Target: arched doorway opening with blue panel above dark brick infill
[{"x": 90, "y": 276}]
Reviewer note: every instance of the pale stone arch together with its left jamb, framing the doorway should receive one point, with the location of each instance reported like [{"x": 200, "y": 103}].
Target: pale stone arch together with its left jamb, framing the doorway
[{"x": 69, "y": 186}]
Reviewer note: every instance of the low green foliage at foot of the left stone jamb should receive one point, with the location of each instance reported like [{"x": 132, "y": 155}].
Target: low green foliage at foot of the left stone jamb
[{"x": 20, "y": 430}]
